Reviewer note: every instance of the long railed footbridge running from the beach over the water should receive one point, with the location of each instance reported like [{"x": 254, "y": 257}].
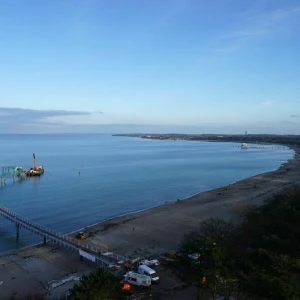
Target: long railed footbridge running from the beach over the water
[{"x": 95, "y": 254}]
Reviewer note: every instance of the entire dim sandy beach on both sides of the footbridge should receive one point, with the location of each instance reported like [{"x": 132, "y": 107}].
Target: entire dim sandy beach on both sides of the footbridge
[{"x": 145, "y": 233}]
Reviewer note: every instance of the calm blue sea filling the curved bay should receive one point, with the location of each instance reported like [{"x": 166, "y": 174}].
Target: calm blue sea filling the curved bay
[{"x": 118, "y": 175}]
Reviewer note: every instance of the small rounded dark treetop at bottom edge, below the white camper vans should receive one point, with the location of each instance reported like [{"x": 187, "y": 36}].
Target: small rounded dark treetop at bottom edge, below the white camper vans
[{"x": 99, "y": 284}]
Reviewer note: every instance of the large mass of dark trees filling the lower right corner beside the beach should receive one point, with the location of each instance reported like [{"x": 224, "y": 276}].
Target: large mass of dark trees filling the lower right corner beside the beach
[{"x": 259, "y": 259}]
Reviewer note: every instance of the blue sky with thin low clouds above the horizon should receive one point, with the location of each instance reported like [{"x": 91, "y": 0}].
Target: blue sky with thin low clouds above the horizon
[{"x": 156, "y": 66}]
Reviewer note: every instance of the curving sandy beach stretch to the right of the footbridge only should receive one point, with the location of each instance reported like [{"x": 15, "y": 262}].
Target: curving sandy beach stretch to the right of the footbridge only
[{"x": 122, "y": 234}]
